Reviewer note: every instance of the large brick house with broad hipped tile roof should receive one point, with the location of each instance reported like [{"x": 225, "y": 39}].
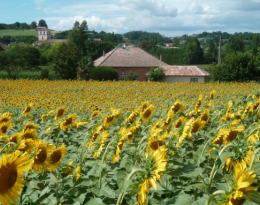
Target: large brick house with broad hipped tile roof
[{"x": 128, "y": 58}]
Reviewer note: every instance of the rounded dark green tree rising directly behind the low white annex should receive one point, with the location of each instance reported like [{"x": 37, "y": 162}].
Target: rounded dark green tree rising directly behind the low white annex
[{"x": 193, "y": 53}]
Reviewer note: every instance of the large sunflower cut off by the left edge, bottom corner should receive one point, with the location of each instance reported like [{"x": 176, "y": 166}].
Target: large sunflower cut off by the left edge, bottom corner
[{"x": 12, "y": 167}]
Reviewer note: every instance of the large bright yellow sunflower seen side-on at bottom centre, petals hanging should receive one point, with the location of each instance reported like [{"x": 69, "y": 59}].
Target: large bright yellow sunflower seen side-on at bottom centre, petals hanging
[{"x": 157, "y": 166}]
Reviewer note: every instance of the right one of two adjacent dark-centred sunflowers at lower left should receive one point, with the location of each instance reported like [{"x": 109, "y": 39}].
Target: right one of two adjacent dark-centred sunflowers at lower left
[{"x": 56, "y": 157}]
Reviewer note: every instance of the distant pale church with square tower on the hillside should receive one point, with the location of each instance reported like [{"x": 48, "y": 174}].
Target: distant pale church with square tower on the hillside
[{"x": 44, "y": 35}]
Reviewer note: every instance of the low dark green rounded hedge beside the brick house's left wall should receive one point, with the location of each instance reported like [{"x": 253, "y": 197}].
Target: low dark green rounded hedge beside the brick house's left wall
[{"x": 103, "y": 73}]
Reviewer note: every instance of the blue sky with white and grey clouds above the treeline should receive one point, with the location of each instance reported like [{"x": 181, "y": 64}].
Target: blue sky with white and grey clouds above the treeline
[{"x": 168, "y": 17}]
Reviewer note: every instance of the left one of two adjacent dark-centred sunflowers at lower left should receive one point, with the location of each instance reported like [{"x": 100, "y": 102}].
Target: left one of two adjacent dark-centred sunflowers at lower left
[{"x": 39, "y": 163}]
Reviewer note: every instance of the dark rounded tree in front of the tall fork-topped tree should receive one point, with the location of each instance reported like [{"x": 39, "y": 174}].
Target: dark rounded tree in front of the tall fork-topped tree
[{"x": 65, "y": 62}]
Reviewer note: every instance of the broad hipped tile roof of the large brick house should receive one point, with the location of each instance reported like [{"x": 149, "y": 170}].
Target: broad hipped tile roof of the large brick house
[{"x": 128, "y": 57}]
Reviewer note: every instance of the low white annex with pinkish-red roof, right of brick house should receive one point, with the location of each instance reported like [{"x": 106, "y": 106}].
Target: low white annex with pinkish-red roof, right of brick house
[{"x": 184, "y": 74}]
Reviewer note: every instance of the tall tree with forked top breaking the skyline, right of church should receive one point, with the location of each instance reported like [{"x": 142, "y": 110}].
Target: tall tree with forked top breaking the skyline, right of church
[{"x": 79, "y": 34}]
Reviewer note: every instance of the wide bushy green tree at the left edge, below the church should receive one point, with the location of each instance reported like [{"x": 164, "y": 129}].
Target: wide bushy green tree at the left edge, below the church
[{"x": 19, "y": 58}]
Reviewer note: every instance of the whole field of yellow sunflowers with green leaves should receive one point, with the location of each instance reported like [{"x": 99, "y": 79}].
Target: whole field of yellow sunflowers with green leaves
[{"x": 126, "y": 143}]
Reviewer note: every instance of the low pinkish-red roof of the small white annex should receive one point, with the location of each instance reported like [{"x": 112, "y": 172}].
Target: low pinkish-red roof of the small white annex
[{"x": 184, "y": 71}]
